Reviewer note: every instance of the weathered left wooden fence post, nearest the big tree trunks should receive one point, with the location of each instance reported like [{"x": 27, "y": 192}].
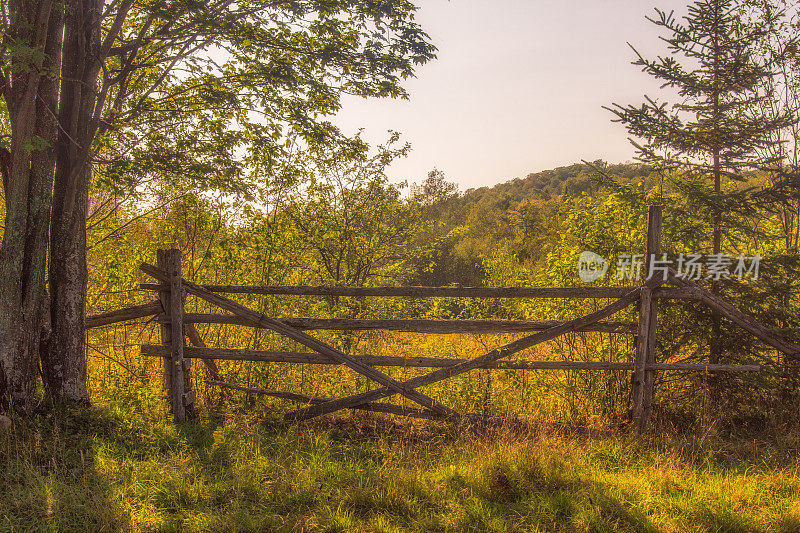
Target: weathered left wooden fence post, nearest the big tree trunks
[{"x": 177, "y": 370}]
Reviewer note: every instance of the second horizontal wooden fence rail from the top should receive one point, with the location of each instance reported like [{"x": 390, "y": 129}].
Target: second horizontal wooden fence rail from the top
[{"x": 414, "y": 325}]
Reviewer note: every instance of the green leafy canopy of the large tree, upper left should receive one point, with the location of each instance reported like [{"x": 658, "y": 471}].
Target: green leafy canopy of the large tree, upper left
[{"x": 219, "y": 93}]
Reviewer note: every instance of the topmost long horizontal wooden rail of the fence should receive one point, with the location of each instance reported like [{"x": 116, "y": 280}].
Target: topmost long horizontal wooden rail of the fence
[{"x": 439, "y": 292}]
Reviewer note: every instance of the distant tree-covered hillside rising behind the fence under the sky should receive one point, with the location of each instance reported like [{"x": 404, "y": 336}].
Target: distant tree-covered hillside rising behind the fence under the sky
[{"x": 518, "y": 218}]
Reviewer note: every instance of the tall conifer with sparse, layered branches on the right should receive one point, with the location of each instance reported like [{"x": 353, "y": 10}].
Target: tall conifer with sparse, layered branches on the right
[{"x": 710, "y": 141}]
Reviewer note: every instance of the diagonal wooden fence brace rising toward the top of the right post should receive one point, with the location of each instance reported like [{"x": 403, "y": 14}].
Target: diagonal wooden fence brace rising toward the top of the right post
[{"x": 448, "y": 372}]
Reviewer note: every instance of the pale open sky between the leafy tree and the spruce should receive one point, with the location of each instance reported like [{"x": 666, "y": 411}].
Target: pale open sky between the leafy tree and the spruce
[{"x": 517, "y": 87}]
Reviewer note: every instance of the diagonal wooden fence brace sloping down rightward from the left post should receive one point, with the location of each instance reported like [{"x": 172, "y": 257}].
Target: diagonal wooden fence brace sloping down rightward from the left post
[{"x": 308, "y": 341}]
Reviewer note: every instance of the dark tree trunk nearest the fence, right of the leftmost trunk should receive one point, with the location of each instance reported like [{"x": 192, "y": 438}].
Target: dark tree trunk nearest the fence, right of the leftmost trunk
[{"x": 64, "y": 357}]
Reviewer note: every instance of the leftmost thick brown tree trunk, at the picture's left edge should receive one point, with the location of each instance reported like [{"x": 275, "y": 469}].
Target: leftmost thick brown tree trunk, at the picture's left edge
[{"x": 31, "y": 96}]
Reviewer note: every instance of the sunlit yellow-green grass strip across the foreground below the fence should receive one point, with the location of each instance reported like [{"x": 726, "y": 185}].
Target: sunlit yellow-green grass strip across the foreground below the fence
[{"x": 123, "y": 466}]
